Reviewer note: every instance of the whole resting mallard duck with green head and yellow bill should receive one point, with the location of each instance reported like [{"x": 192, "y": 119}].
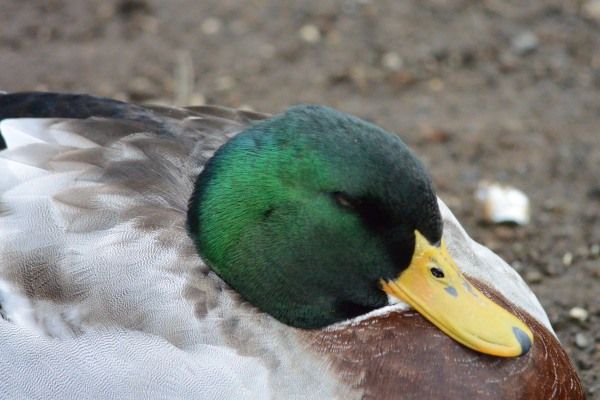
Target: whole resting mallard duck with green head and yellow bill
[{"x": 214, "y": 253}]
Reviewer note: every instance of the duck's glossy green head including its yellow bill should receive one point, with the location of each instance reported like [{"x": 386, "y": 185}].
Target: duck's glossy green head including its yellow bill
[{"x": 315, "y": 216}]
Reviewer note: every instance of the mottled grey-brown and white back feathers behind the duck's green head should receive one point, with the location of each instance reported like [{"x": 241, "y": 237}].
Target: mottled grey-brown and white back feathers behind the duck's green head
[{"x": 93, "y": 209}]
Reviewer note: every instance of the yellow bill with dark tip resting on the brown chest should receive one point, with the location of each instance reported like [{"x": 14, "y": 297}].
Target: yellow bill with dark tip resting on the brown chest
[{"x": 435, "y": 287}]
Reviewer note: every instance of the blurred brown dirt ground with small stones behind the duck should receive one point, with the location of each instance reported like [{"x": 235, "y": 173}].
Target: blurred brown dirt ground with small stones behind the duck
[{"x": 505, "y": 91}]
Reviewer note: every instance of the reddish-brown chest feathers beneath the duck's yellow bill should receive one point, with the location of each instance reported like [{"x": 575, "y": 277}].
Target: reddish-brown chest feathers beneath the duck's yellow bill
[{"x": 403, "y": 356}]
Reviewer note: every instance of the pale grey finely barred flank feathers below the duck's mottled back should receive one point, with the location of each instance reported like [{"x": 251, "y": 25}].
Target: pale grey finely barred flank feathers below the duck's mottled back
[{"x": 121, "y": 365}]
